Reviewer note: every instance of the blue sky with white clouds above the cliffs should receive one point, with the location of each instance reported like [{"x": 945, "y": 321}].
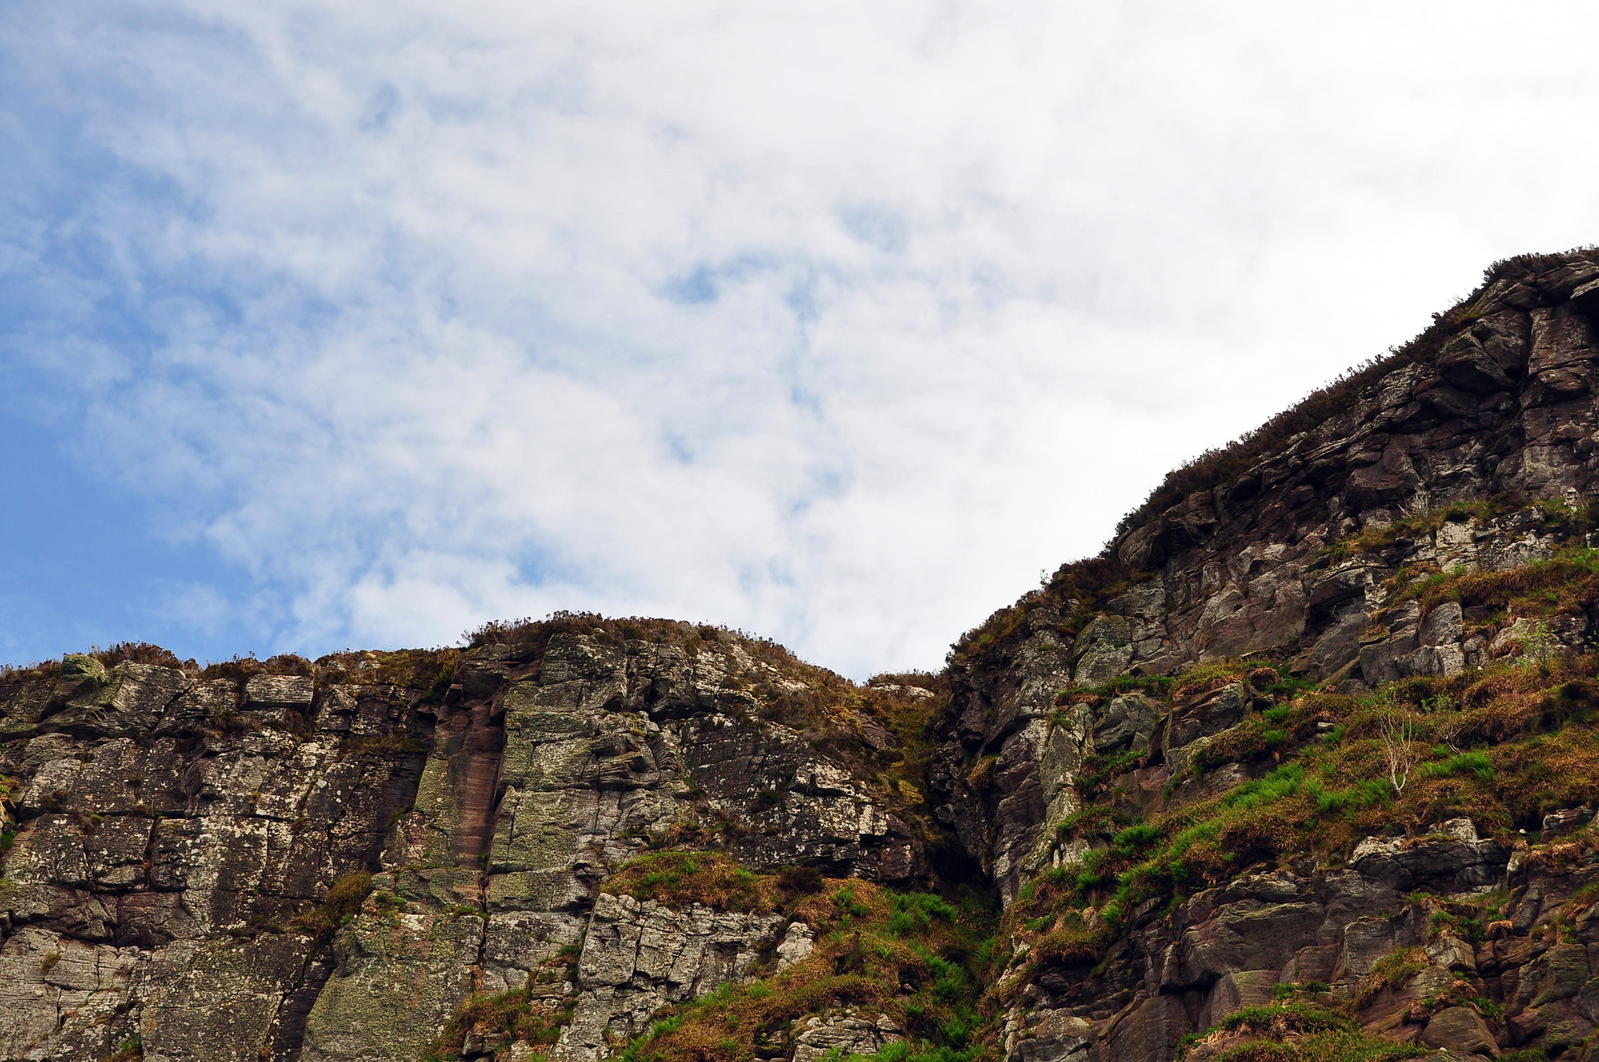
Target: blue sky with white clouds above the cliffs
[{"x": 356, "y": 325}]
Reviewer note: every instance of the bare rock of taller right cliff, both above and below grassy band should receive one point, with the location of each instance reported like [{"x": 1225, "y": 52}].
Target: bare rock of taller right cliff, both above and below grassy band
[{"x": 1358, "y": 554}]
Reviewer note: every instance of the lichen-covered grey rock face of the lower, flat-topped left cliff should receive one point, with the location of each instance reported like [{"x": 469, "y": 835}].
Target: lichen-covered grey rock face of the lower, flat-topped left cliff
[{"x": 290, "y": 868}]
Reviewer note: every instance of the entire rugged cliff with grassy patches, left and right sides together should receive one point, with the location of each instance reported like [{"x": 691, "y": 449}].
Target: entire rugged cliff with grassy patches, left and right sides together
[{"x": 1302, "y": 769}]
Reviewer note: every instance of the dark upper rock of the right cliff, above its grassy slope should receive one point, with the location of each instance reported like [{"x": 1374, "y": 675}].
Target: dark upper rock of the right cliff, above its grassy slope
[{"x": 1494, "y": 402}]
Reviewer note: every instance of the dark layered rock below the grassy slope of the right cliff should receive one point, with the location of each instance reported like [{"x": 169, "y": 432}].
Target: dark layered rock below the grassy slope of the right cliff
[{"x": 1478, "y": 932}]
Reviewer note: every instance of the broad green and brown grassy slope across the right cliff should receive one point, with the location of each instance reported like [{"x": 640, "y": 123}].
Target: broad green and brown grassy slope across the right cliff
[{"x": 1497, "y": 746}]
